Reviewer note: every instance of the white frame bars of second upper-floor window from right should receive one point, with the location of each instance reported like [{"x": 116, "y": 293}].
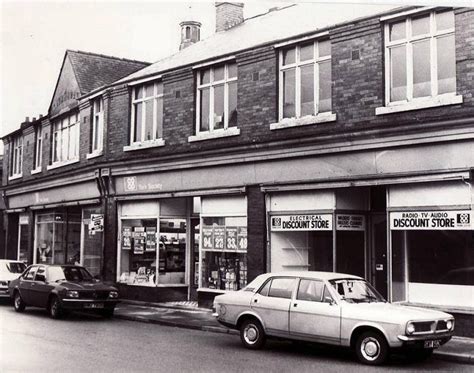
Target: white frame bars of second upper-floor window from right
[{"x": 297, "y": 65}]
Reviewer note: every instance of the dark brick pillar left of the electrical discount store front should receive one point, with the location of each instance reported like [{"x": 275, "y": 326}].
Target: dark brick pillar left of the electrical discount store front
[{"x": 256, "y": 223}]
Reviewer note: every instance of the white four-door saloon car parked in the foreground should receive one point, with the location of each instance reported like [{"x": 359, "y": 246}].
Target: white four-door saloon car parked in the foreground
[{"x": 333, "y": 308}]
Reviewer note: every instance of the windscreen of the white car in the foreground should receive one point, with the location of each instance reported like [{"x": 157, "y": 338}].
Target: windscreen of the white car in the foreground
[{"x": 356, "y": 291}]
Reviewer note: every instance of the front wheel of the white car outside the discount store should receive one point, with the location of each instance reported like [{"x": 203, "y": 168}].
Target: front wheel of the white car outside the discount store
[{"x": 371, "y": 348}]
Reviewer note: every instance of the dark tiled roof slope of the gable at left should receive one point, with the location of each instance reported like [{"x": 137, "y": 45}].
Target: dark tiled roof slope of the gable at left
[{"x": 96, "y": 70}]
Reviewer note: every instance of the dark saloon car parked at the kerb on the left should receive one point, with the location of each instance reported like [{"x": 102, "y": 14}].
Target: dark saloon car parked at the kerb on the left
[{"x": 62, "y": 288}]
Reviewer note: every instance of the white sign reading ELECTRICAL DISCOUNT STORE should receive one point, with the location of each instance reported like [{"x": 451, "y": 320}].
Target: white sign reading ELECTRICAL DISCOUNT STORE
[{"x": 307, "y": 222}]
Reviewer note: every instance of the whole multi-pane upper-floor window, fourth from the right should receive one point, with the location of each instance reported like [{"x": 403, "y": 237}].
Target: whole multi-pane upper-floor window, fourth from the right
[{"x": 147, "y": 112}]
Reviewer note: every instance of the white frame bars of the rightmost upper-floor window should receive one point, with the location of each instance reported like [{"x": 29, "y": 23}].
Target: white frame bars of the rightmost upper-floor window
[{"x": 408, "y": 41}]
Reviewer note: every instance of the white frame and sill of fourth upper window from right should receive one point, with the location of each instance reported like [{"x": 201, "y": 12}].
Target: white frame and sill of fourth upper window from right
[{"x": 155, "y": 141}]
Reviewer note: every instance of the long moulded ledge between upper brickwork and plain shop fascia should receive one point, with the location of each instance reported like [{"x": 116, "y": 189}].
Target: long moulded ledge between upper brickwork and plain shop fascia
[{"x": 295, "y": 151}]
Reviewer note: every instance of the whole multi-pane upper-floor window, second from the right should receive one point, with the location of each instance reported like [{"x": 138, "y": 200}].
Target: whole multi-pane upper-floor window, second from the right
[{"x": 305, "y": 79}]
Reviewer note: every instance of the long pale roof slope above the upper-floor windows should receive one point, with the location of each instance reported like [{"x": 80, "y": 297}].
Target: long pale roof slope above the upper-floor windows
[{"x": 273, "y": 26}]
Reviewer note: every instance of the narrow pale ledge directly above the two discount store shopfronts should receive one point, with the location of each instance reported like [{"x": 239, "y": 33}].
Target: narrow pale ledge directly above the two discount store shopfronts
[{"x": 382, "y": 180}]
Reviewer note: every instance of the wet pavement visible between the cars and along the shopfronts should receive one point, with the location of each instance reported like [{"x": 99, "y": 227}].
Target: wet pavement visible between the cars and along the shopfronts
[{"x": 189, "y": 316}]
